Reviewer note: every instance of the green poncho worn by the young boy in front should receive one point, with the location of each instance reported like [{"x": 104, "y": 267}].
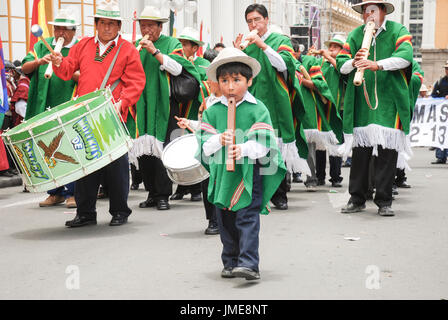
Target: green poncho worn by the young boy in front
[{"x": 233, "y": 190}]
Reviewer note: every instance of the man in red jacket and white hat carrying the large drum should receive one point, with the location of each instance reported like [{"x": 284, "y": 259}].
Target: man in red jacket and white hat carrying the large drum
[{"x": 93, "y": 57}]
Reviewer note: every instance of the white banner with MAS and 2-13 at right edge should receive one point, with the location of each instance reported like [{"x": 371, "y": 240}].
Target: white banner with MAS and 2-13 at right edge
[{"x": 429, "y": 125}]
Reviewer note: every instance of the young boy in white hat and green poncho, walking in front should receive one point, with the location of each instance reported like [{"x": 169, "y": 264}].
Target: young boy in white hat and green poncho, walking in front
[{"x": 240, "y": 196}]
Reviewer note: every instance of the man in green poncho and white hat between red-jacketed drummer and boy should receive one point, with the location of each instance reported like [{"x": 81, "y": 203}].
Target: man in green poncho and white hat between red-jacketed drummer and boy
[{"x": 162, "y": 58}]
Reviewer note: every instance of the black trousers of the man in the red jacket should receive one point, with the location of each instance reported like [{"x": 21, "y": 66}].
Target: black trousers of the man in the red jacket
[{"x": 116, "y": 176}]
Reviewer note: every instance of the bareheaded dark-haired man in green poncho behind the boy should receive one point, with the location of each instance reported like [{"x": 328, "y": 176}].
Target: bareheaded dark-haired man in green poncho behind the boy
[{"x": 273, "y": 86}]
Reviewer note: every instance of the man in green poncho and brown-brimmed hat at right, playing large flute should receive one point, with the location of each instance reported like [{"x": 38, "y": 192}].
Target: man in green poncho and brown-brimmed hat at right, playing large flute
[{"x": 376, "y": 114}]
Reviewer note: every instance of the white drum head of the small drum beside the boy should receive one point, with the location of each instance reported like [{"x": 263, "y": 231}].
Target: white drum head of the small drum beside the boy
[{"x": 179, "y": 154}]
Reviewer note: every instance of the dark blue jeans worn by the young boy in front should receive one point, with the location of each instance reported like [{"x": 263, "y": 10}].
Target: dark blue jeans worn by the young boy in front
[{"x": 239, "y": 230}]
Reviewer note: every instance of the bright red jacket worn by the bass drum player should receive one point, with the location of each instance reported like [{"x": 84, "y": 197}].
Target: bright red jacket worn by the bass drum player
[{"x": 128, "y": 68}]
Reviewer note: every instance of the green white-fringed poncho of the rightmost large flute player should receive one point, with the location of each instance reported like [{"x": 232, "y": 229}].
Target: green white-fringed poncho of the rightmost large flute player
[{"x": 388, "y": 125}]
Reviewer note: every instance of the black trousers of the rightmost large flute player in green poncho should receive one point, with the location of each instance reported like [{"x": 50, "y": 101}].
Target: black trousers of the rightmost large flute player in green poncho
[{"x": 384, "y": 166}]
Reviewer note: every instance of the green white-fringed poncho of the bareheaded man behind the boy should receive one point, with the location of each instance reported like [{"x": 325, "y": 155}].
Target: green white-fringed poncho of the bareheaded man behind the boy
[{"x": 271, "y": 87}]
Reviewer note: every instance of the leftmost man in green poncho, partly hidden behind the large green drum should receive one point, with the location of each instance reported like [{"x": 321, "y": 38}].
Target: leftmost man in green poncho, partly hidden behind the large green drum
[{"x": 51, "y": 92}]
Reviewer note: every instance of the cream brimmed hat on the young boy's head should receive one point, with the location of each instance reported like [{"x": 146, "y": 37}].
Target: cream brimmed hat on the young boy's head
[{"x": 228, "y": 55}]
